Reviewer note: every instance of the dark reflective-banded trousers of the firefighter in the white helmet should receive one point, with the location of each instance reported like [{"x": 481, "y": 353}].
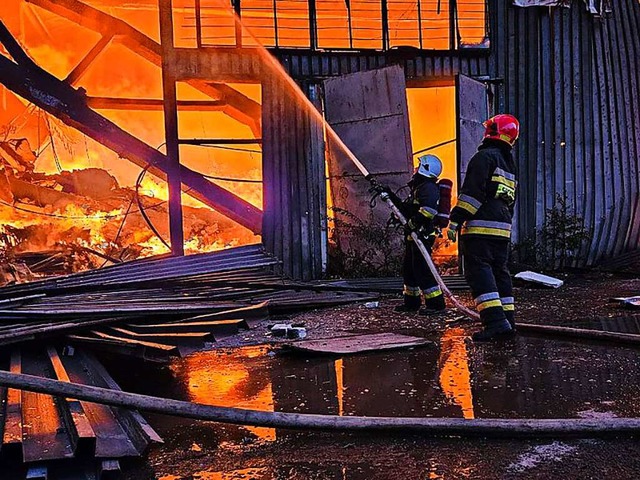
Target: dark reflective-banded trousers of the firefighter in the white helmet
[{"x": 418, "y": 279}]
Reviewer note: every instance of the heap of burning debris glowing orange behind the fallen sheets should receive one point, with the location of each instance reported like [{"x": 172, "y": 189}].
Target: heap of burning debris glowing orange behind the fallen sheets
[{"x": 86, "y": 217}]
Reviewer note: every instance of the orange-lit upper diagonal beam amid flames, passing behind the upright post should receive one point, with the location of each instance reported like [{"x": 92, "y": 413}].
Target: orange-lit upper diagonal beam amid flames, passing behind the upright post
[{"x": 239, "y": 106}]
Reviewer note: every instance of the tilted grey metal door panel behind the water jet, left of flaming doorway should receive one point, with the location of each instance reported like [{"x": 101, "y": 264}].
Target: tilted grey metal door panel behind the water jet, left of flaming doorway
[{"x": 375, "y": 127}]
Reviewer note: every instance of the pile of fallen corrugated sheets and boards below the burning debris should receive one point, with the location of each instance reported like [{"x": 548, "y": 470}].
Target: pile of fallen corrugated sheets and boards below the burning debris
[{"x": 158, "y": 308}]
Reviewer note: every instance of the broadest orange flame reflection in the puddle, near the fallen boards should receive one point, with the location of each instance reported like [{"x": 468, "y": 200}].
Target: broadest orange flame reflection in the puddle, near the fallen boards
[{"x": 232, "y": 380}]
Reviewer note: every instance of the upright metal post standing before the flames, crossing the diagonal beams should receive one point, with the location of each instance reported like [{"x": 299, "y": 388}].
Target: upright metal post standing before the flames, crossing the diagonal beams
[{"x": 171, "y": 127}]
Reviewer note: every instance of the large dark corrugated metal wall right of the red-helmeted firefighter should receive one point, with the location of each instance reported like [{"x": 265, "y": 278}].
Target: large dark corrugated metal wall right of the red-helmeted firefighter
[{"x": 574, "y": 82}]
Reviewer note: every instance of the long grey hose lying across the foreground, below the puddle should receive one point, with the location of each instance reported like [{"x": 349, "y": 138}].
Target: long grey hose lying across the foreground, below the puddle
[{"x": 514, "y": 428}]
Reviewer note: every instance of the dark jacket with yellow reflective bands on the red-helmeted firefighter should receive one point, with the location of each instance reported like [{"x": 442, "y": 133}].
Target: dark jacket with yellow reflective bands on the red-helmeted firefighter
[{"x": 488, "y": 193}]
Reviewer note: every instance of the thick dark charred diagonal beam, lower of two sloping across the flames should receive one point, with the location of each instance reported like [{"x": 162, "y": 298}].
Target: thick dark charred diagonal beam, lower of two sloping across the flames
[{"x": 69, "y": 105}]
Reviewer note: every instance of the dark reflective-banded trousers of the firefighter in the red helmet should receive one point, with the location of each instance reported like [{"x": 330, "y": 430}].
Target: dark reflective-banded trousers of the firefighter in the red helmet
[{"x": 485, "y": 264}]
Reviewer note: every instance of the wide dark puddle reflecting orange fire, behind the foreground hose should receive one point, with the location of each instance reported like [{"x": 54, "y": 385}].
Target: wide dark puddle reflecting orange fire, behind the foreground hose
[{"x": 527, "y": 378}]
